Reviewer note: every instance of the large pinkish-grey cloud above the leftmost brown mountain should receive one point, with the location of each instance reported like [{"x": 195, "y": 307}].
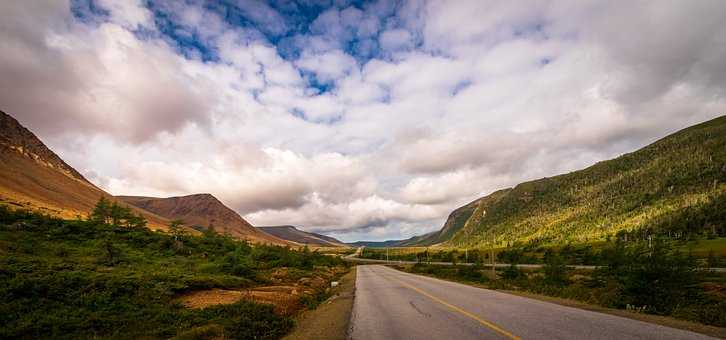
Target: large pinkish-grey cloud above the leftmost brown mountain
[{"x": 100, "y": 79}]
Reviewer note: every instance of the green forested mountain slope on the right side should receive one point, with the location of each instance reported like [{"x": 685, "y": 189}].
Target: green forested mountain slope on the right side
[{"x": 676, "y": 185}]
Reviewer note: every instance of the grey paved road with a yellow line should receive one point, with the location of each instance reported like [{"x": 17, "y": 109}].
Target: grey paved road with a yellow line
[{"x": 390, "y": 304}]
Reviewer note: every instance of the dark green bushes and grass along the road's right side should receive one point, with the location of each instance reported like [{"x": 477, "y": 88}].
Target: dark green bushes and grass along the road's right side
[{"x": 653, "y": 277}]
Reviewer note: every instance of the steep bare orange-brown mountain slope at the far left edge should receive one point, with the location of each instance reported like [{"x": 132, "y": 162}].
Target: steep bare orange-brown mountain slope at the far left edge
[{"x": 34, "y": 177}]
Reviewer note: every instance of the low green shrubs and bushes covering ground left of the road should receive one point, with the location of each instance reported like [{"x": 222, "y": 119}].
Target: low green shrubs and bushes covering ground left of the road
[{"x": 110, "y": 277}]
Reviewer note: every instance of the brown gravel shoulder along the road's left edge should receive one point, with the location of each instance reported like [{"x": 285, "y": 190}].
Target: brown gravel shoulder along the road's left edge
[{"x": 330, "y": 320}]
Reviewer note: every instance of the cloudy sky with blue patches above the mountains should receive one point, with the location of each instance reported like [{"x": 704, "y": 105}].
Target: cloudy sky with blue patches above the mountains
[{"x": 361, "y": 120}]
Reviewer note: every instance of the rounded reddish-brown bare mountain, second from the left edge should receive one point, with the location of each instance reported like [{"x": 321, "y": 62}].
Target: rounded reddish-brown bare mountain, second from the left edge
[{"x": 200, "y": 211}]
